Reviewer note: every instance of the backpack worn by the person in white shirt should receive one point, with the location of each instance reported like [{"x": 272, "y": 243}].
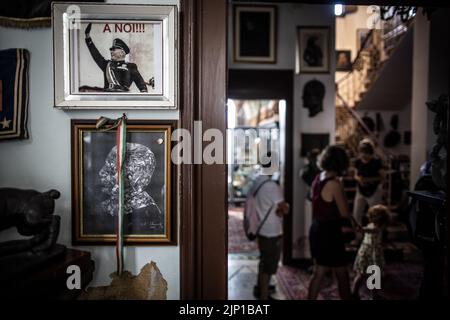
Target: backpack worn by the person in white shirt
[{"x": 252, "y": 223}]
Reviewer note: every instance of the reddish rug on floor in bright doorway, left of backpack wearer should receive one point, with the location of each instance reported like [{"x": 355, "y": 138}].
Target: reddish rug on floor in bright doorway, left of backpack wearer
[{"x": 237, "y": 241}]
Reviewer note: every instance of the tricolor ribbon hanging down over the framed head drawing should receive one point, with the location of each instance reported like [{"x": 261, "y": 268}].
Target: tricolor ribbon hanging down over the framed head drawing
[{"x": 121, "y": 137}]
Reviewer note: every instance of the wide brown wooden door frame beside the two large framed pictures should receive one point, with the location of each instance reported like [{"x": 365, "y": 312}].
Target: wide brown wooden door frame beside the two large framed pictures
[{"x": 203, "y": 77}]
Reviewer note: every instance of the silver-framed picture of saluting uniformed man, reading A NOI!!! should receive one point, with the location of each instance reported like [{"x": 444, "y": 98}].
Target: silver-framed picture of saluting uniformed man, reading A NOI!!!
[{"x": 109, "y": 56}]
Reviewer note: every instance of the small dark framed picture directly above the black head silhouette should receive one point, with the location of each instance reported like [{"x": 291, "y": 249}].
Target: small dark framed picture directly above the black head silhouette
[{"x": 313, "y": 50}]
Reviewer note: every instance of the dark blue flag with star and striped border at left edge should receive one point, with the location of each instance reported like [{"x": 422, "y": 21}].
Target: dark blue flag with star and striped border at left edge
[{"x": 14, "y": 93}]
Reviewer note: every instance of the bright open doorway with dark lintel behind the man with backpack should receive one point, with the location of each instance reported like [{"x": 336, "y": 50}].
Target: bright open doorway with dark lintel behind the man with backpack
[{"x": 259, "y": 106}]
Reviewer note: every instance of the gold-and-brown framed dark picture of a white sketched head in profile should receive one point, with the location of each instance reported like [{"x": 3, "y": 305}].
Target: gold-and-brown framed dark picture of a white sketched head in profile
[{"x": 149, "y": 211}]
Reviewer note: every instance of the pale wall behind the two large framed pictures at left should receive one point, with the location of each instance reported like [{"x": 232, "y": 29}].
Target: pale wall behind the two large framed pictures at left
[{"x": 44, "y": 161}]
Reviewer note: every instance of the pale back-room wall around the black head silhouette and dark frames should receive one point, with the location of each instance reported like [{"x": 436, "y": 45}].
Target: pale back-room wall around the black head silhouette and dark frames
[{"x": 290, "y": 16}]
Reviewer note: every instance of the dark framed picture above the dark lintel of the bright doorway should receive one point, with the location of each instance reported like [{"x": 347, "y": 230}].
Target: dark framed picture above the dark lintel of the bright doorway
[{"x": 255, "y": 31}]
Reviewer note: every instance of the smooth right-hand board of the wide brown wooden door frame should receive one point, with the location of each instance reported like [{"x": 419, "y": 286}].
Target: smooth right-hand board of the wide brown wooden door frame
[{"x": 214, "y": 177}]
